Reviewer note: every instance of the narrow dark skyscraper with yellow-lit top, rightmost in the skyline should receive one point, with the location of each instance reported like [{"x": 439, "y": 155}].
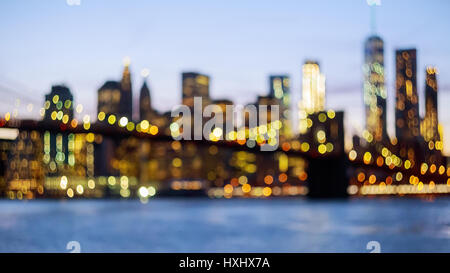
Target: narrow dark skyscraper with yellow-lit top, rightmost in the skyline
[{"x": 430, "y": 122}]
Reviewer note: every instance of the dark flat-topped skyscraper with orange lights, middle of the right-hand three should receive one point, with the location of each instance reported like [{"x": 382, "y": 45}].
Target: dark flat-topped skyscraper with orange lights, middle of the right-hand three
[{"x": 407, "y": 100}]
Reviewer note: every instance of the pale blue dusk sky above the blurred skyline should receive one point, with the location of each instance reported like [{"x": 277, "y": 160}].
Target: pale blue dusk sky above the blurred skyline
[{"x": 238, "y": 43}]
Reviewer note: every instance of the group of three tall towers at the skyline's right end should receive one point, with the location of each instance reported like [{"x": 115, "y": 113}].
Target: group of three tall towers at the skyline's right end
[{"x": 410, "y": 128}]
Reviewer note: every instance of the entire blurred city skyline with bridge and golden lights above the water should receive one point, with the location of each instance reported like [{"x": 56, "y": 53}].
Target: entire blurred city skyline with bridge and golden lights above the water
[{"x": 118, "y": 155}]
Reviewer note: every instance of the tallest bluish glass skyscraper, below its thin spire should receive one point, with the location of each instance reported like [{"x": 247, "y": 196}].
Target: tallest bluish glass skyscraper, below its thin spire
[{"x": 374, "y": 89}]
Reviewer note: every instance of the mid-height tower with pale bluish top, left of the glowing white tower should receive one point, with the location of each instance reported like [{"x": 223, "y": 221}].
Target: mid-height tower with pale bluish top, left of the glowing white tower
[{"x": 279, "y": 90}]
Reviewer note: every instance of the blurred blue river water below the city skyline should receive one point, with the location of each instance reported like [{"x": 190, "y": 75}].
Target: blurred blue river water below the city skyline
[{"x": 238, "y": 225}]
